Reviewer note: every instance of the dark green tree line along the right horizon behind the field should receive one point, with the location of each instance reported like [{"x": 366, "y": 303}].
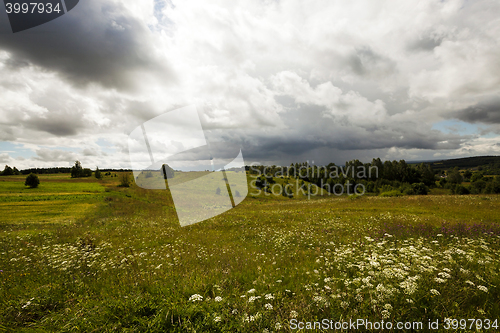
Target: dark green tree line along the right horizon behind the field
[{"x": 389, "y": 178}]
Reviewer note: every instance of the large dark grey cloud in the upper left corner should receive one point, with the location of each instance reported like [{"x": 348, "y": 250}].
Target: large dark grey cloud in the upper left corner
[{"x": 98, "y": 41}]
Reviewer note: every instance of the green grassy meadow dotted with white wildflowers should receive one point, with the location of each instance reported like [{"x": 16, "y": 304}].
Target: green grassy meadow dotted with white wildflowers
[{"x": 89, "y": 256}]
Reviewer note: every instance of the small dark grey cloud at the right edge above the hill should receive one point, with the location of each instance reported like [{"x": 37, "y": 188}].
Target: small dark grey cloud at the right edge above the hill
[{"x": 487, "y": 112}]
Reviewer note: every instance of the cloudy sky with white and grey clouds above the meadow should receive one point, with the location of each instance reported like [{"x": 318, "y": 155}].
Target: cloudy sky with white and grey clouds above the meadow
[{"x": 287, "y": 81}]
